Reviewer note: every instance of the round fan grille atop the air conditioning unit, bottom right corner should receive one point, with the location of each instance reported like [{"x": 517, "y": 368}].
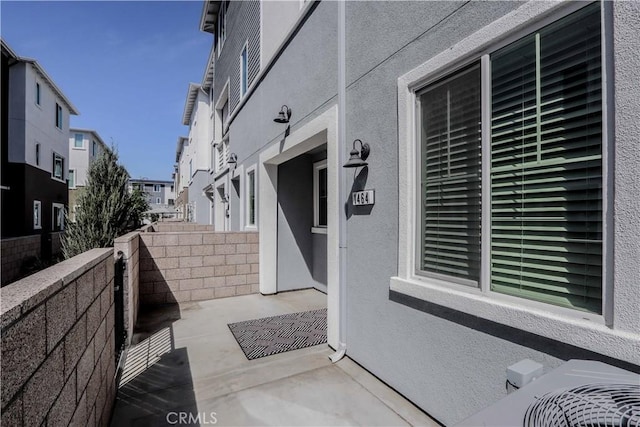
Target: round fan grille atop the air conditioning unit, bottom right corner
[{"x": 592, "y": 405}]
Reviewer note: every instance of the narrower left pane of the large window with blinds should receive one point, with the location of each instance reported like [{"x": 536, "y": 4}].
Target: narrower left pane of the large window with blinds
[{"x": 451, "y": 176}]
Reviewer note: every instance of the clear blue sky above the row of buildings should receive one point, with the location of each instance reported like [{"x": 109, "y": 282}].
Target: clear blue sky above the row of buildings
[{"x": 126, "y": 66}]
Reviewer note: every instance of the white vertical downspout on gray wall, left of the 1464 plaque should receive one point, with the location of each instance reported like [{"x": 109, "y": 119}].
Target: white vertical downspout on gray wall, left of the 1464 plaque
[{"x": 342, "y": 184}]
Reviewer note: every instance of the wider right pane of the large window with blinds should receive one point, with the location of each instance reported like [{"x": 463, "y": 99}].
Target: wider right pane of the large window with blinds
[{"x": 546, "y": 164}]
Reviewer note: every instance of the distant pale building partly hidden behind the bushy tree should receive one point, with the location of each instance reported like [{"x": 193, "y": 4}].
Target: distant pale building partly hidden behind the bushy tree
[{"x": 85, "y": 146}]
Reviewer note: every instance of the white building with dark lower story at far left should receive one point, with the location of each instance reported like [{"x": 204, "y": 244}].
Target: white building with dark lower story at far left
[{"x": 35, "y": 150}]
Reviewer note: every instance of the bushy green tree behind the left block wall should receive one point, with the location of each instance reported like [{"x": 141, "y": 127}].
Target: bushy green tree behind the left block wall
[{"x": 105, "y": 210}]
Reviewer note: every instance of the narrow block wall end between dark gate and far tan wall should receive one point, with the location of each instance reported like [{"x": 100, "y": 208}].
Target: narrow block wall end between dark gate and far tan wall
[{"x": 129, "y": 245}]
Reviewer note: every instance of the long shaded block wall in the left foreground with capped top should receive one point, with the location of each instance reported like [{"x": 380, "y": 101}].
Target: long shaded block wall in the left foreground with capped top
[{"x": 58, "y": 355}]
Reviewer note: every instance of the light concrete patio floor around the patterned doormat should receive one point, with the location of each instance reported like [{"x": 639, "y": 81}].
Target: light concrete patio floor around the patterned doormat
[{"x": 187, "y": 369}]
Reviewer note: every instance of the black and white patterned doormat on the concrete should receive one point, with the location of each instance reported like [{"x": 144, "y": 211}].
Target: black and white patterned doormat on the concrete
[{"x": 277, "y": 334}]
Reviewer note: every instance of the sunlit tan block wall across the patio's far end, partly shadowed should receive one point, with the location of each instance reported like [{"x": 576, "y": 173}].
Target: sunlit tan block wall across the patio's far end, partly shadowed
[{"x": 193, "y": 266}]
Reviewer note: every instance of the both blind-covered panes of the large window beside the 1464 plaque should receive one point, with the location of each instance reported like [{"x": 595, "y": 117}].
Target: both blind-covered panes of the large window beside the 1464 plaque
[{"x": 545, "y": 146}]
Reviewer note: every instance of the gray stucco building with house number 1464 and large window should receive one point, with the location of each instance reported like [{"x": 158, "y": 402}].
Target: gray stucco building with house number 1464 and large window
[{"x": 494, "y": 131}]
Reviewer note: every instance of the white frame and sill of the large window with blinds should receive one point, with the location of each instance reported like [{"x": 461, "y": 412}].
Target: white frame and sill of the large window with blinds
[{"x": 481, "y": 301}]
